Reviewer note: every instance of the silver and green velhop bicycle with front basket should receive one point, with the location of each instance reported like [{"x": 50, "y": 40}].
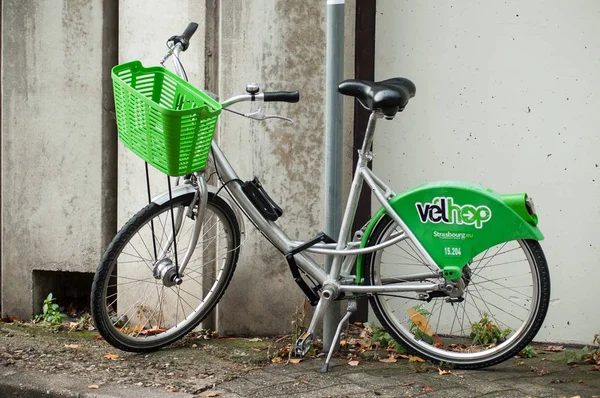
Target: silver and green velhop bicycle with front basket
[{"x": 453, "y": 271}]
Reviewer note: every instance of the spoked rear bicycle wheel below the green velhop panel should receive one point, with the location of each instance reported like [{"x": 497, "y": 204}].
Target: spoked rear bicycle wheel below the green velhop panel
[{"x": 504, "y": 300}]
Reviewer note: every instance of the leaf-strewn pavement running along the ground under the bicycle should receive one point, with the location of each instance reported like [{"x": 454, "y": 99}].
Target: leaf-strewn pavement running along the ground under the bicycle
[{"x": 223, "y": 369}]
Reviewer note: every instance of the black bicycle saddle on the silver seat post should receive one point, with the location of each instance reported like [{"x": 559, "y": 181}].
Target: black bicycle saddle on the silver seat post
[{"x": 390, "y": 96}]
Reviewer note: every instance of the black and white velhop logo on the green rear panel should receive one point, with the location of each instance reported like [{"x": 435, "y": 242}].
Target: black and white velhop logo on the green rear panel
[{"x": 444, "y": 210}]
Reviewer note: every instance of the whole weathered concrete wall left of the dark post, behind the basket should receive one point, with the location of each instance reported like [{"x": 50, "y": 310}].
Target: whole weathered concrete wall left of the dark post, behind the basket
[{"x": 59, "y": 153}]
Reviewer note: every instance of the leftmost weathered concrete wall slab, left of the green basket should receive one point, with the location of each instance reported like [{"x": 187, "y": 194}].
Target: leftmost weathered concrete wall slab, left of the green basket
[{"x": 54, "y": 190}]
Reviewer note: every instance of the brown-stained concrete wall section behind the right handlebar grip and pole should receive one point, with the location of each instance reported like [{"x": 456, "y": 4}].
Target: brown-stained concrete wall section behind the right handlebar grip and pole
[{"x": 281, "y": 46}]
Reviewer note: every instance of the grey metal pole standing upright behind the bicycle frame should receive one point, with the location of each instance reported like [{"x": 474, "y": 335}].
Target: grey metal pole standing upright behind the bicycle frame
[{"x": 333, "y": 145}]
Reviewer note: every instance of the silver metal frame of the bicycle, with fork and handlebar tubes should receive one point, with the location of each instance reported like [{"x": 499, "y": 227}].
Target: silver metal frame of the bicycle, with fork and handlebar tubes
[{"x": 343, "y": 249}]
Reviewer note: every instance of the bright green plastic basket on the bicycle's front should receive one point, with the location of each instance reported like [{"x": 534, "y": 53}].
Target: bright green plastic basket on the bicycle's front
[{"x": 163, "y": 119}]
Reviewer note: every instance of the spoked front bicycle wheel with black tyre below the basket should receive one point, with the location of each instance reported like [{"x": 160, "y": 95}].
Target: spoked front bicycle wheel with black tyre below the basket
[{"x": 137, "y": 314}]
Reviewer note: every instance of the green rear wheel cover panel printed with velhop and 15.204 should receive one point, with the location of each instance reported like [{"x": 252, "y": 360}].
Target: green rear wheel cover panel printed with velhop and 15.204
[{"x": 455, "y": 221}]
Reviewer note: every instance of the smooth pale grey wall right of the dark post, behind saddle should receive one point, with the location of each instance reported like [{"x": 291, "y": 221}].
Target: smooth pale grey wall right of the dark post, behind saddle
[{"x": 507, "y": 98}]
